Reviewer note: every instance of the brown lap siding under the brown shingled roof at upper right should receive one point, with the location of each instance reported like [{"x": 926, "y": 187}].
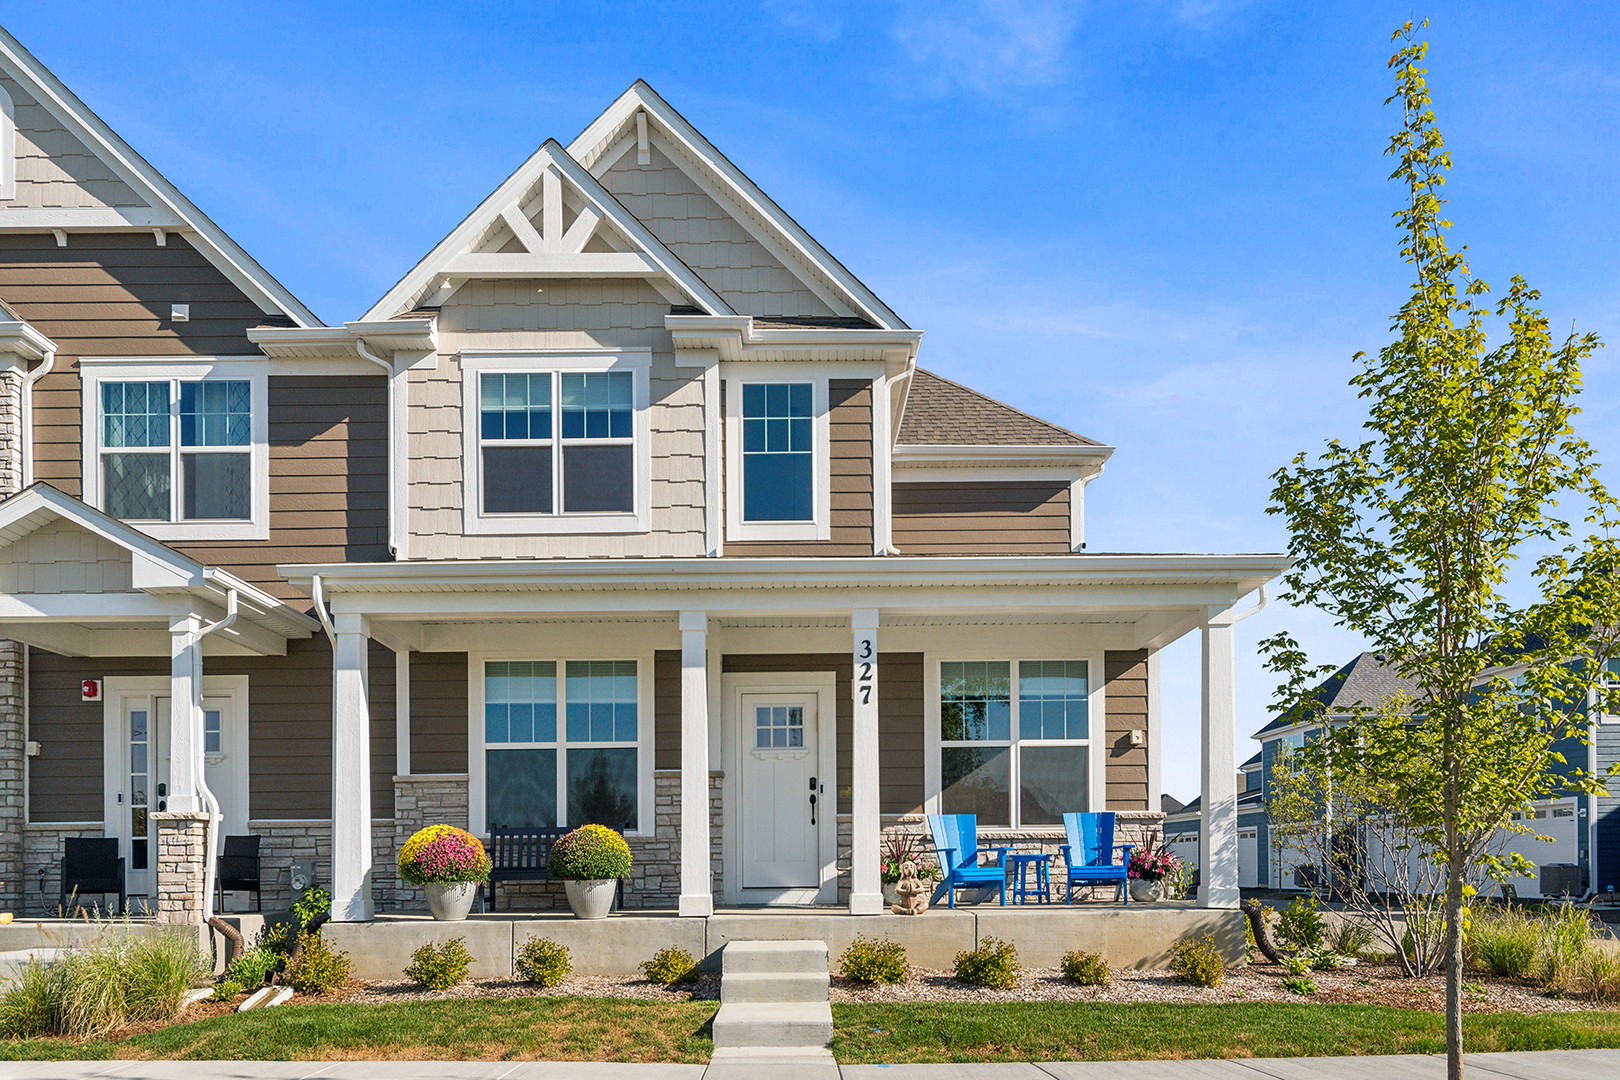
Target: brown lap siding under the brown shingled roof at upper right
[{"x": 983, "y": 519}]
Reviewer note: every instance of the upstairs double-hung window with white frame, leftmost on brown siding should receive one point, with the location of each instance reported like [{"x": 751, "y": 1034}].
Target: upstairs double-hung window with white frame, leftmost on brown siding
[{"x": 184, "y": 457}]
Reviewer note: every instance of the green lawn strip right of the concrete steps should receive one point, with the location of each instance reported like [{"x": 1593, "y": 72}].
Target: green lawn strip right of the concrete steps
[{"x": 1102, "y": 1032}]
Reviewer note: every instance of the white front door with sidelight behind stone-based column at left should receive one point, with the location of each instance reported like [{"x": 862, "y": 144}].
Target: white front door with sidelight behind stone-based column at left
[{"x": 139, "y": 783}]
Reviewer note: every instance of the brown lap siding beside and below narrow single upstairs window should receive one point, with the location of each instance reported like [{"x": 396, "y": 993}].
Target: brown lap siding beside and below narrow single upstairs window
[{"x": 850, "y": 427}]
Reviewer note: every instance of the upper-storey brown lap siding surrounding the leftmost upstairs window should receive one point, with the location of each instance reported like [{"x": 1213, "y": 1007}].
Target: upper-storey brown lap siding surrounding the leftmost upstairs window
[{"x": 109, "y": 297}]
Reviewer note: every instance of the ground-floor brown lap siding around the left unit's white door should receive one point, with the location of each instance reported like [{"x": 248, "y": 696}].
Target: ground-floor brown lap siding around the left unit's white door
[{"x": 289, "y": 731}]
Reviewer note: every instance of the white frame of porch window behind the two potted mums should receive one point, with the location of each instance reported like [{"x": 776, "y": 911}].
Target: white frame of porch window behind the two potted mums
[{"x": 477, "y": 763}]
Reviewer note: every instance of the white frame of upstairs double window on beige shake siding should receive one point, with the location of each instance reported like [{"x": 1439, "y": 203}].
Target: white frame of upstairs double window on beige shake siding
[{"x": 639, "y": 362}]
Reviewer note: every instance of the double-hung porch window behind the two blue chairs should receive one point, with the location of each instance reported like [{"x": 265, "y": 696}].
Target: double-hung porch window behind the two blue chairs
[{"x": 1015, "y": 741}]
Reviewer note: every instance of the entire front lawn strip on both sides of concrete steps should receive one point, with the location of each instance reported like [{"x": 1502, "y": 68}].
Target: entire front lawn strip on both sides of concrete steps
[{"x": 592, "y": 1029}]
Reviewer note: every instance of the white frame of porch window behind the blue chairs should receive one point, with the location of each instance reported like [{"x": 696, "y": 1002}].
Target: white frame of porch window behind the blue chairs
[{"x": 1096, "y": 775}]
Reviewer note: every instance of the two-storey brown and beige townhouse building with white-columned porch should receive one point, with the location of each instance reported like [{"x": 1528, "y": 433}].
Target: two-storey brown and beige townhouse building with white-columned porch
[{"x": 628, "y": 504}]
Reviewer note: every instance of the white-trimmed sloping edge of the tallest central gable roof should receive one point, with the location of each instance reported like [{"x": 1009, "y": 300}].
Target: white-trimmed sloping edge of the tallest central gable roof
[{"x": 607, "y": 137}]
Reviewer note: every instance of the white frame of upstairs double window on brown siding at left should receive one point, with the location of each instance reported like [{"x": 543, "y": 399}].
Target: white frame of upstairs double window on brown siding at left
[{"x": 95, "y": 372}]
